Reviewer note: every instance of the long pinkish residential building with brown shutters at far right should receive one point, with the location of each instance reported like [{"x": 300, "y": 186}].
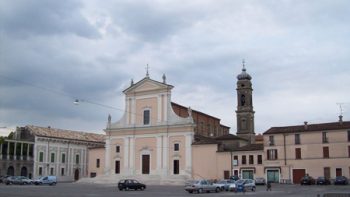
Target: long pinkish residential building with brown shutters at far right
[{"x": 316, "y": 149}]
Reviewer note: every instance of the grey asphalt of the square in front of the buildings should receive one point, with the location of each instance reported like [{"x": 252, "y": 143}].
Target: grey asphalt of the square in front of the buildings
[{"x": 93, "y": 190}]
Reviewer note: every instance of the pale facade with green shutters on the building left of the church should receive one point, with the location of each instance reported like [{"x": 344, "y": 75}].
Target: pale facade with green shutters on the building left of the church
[{"x": 66, "y": 159}]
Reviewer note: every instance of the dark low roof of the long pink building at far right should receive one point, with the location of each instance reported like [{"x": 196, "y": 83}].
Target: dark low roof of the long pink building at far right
[{"x": 309, "y": 128}]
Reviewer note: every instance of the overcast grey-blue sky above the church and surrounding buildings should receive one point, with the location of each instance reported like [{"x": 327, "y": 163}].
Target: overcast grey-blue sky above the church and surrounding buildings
[{"x": 53, "y": 52}]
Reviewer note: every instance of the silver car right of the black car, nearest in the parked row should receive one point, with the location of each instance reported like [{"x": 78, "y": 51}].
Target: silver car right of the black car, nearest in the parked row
[{"x": 201, "y": 186}]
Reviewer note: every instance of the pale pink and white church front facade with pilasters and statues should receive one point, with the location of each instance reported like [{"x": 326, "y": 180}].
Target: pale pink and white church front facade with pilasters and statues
[{"x": 150, "y": 138}]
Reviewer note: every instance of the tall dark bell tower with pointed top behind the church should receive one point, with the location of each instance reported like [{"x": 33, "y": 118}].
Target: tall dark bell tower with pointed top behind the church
[{"x": 245, "y": 112}]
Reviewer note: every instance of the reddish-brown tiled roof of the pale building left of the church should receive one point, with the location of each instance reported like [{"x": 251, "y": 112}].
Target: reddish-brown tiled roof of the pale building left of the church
[{"x": 65, "y": 134}]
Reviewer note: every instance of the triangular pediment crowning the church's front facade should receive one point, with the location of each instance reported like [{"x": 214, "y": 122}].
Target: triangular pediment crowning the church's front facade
[{"x": 147, "y": 84}]
